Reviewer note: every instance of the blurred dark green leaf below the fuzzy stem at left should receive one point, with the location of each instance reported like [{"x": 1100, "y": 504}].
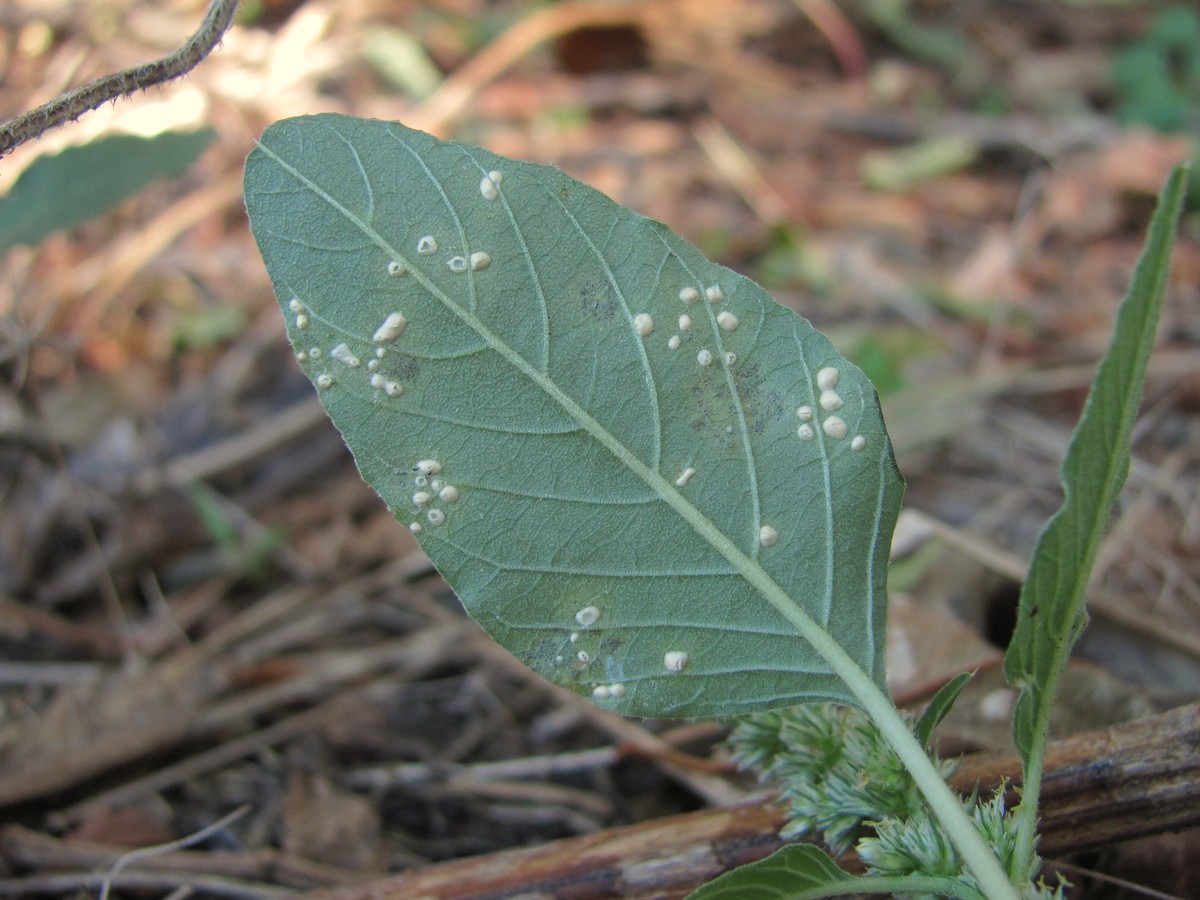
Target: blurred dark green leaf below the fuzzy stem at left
[{"x": 68, "y": 189}]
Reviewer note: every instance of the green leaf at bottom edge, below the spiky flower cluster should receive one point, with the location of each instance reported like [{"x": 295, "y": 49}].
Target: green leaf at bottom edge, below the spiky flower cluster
[{"x": 801, "y": 872}]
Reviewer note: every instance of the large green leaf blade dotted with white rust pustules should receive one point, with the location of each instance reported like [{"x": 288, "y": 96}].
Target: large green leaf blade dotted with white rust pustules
[{"x": 625, "y": 509}]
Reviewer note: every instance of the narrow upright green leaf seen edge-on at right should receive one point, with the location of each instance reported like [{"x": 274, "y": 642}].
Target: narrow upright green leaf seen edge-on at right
[{"x": 1052, "y": 614}]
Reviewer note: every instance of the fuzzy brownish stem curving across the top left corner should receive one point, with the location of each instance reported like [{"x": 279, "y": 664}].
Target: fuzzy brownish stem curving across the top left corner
[{"x": 70, "y": 106}]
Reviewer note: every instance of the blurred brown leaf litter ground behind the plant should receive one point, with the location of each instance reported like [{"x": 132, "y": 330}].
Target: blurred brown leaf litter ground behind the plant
[{"x": 203, "y": 608}]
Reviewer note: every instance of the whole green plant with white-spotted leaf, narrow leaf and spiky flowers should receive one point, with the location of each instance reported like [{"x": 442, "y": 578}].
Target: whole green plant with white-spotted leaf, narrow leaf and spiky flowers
[{"x": 659, "y": 488}]
